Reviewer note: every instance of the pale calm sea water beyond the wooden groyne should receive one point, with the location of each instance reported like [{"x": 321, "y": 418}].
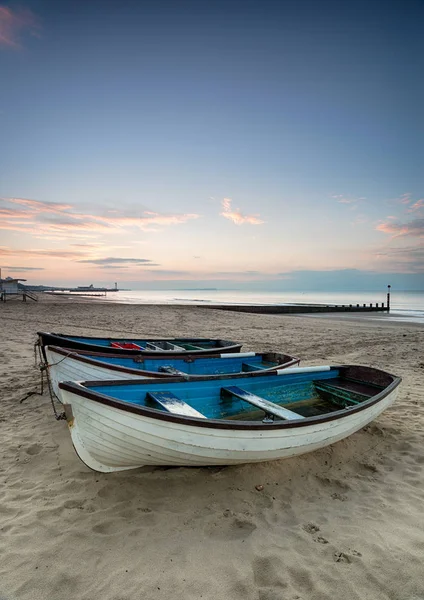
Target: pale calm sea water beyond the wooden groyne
[{"x": 405, "y": 306}]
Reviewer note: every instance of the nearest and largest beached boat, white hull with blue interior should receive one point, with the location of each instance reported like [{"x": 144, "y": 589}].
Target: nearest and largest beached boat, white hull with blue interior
[{"x": 119, "y": 425}]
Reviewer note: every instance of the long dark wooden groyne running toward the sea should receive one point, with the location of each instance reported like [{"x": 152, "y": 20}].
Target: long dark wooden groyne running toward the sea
[{"x": 287, "y": 309}]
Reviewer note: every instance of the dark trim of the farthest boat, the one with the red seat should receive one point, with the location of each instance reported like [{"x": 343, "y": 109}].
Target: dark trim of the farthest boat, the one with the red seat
[{"x": 59, "y": 339}]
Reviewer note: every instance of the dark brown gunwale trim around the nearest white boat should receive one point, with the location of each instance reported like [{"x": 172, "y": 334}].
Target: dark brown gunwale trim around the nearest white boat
[{"x": 374, "y": 376}]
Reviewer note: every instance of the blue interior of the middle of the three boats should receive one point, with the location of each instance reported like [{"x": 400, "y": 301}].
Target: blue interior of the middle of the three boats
[{"x": 198, "y": 366}]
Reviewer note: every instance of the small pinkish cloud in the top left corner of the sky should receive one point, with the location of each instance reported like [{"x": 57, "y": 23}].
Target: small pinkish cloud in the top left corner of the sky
[{"x": 15, "y": 23}]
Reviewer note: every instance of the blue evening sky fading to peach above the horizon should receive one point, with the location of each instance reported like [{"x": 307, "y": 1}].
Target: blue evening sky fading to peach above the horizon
[{"x": 219, "y": 143}]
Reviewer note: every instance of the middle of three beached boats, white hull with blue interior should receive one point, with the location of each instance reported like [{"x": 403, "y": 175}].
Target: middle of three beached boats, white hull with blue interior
[{"x": 75, "y": 365}]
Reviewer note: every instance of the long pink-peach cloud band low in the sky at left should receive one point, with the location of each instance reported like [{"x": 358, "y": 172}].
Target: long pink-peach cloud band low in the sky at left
[{"x": 54, "y": 218}]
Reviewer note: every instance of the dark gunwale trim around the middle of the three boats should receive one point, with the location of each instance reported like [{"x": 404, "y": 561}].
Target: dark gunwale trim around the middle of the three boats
[{"x": 86, "y": 357}]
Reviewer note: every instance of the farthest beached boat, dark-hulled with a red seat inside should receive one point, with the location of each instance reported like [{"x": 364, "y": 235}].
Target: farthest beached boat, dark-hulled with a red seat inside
[{"x": 128, "y": 346}]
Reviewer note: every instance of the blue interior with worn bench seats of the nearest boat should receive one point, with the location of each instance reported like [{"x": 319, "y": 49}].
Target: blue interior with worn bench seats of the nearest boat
[{"x": 261, "y": 398}]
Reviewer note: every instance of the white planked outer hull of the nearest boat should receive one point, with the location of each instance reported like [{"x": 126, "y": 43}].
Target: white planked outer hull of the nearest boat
[{"x": 108, "y": 439}]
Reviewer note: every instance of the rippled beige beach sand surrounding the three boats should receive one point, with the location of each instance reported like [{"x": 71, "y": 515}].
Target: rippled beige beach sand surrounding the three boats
[{"x": 342, "y": 523}]
